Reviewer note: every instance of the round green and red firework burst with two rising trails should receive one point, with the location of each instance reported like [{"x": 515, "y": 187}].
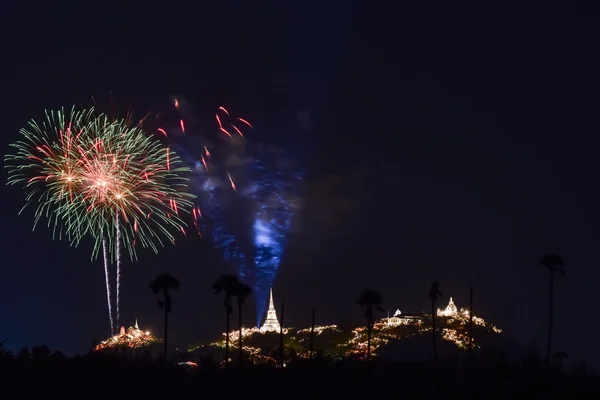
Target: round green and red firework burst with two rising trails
[{"x": 82, "y": 168}]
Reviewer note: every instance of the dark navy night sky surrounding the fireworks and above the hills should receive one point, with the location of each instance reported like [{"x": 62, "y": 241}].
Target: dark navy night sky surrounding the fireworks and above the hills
[{"x": 448, "y": 147}]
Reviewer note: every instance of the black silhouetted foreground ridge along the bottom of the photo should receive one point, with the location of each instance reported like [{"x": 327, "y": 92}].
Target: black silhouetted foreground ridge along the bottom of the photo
[{"x": 42, "y": 372}]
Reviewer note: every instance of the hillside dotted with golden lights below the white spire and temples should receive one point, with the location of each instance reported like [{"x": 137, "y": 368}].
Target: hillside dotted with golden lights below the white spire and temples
[{"x": 400, "y": 337}]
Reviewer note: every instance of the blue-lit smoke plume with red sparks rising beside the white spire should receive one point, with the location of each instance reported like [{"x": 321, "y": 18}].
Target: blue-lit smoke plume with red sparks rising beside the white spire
[{"x": 248, "y": 192}]
